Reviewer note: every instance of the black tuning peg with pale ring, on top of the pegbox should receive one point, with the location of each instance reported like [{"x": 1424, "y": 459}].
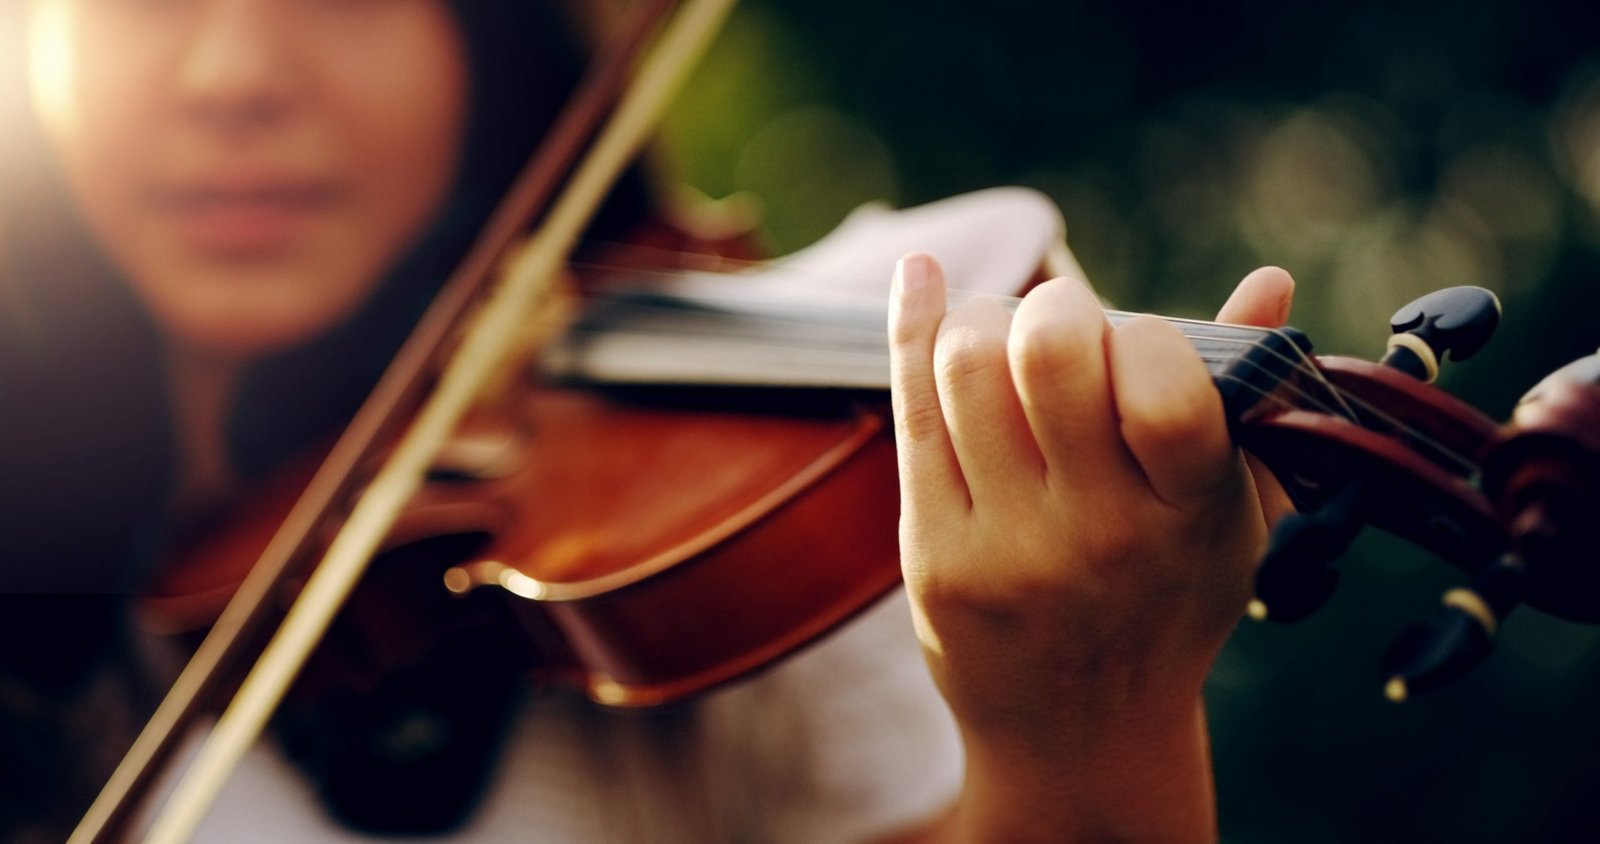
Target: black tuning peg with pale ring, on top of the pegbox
[{"x": 1455, "y": 320}]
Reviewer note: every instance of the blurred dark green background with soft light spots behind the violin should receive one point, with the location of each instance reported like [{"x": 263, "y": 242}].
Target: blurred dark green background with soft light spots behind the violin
[{"x": 1377, "y": 151}]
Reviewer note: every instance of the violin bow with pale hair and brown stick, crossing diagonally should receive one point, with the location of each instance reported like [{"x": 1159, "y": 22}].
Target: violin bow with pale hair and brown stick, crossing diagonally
[{"x": 494, "y": 335}]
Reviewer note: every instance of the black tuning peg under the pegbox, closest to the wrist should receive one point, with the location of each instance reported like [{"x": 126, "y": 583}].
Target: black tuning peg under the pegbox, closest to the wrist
[{"x": 1297, "y": 575}]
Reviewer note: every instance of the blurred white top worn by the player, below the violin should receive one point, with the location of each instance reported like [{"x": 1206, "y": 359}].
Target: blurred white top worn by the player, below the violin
[{"x": 846, "y": 742}]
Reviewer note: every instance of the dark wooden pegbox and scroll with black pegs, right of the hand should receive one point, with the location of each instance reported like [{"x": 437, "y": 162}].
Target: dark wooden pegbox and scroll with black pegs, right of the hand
[{"x": 1513, "y": 506}]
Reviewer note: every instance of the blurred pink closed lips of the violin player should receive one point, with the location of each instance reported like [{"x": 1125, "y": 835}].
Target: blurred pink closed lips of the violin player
[{"x": 244, "y": 218}]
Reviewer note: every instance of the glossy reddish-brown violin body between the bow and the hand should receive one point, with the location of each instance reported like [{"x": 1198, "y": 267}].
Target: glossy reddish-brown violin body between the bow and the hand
[{"x": 676, "y": 547}]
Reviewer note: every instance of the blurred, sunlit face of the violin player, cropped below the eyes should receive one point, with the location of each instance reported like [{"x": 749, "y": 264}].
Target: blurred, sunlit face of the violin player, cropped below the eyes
[{"x": 254, "y": 167}]
